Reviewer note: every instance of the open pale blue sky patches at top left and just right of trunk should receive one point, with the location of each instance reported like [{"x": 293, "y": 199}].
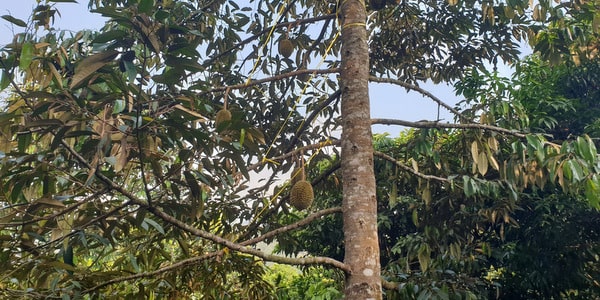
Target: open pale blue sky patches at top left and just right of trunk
[{"x": 387, "y": 101}]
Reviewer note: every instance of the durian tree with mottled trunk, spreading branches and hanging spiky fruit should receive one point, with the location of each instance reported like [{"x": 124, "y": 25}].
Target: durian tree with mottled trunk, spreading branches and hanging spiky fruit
[{"x": 150, "y": 157}]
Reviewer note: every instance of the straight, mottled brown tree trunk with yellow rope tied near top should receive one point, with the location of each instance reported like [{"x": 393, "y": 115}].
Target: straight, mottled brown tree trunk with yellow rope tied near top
[{"x": 360, "y": 203}]
